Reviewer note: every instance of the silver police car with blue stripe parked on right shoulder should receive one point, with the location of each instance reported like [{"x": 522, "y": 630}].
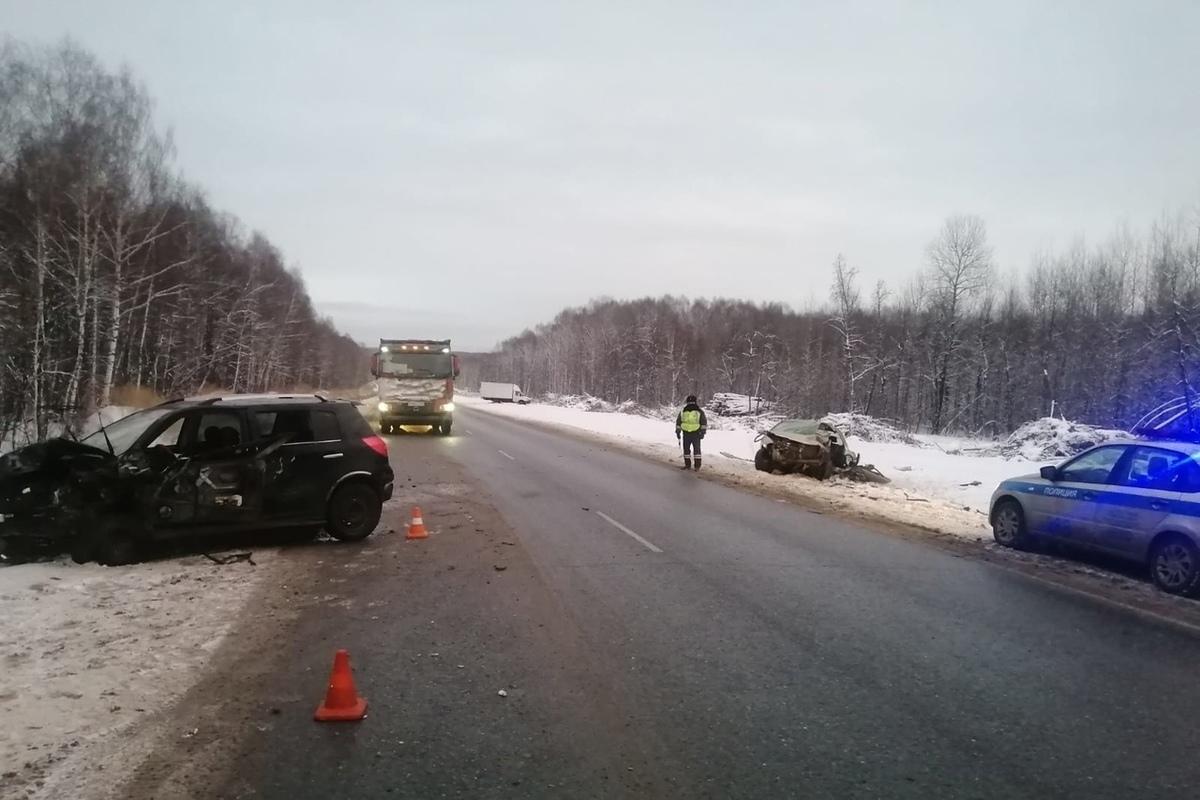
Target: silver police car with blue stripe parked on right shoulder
[{"x": 1139, "y": 501}]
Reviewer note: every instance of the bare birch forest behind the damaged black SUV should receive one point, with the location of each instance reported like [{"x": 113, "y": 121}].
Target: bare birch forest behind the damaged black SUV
[{"x": 115, "y": 272}]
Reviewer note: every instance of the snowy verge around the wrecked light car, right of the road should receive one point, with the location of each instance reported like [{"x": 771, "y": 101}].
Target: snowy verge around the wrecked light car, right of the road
[{"x": 928, "y": 485}]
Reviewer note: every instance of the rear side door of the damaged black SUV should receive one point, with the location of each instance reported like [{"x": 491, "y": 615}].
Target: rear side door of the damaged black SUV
[{"x": 305, "y": 468}]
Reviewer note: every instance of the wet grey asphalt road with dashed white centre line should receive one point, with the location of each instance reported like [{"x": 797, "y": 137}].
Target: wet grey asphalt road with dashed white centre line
[{"x": 665, "y": 636}]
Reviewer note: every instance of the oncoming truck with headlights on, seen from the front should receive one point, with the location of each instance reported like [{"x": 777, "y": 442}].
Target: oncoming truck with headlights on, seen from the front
[{"x": 416, "y": 380}]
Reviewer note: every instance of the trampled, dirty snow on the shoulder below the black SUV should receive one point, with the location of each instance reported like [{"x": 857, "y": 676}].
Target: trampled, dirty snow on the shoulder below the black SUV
[{"x": 88, "y": 653}]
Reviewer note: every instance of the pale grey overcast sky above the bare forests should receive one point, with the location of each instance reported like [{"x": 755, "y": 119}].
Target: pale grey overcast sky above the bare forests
[{"x": 467, "y": 170}]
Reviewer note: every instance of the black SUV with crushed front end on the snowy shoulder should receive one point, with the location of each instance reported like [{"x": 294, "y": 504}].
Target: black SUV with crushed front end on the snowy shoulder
[{"x": 193, "y": 468}]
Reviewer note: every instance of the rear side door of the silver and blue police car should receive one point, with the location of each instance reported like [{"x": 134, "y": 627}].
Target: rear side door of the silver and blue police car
[{"x": 1143, "y": 494}]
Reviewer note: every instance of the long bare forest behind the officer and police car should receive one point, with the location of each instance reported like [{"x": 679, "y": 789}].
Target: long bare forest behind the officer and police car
[{"x": 1097, "y": 334}]
